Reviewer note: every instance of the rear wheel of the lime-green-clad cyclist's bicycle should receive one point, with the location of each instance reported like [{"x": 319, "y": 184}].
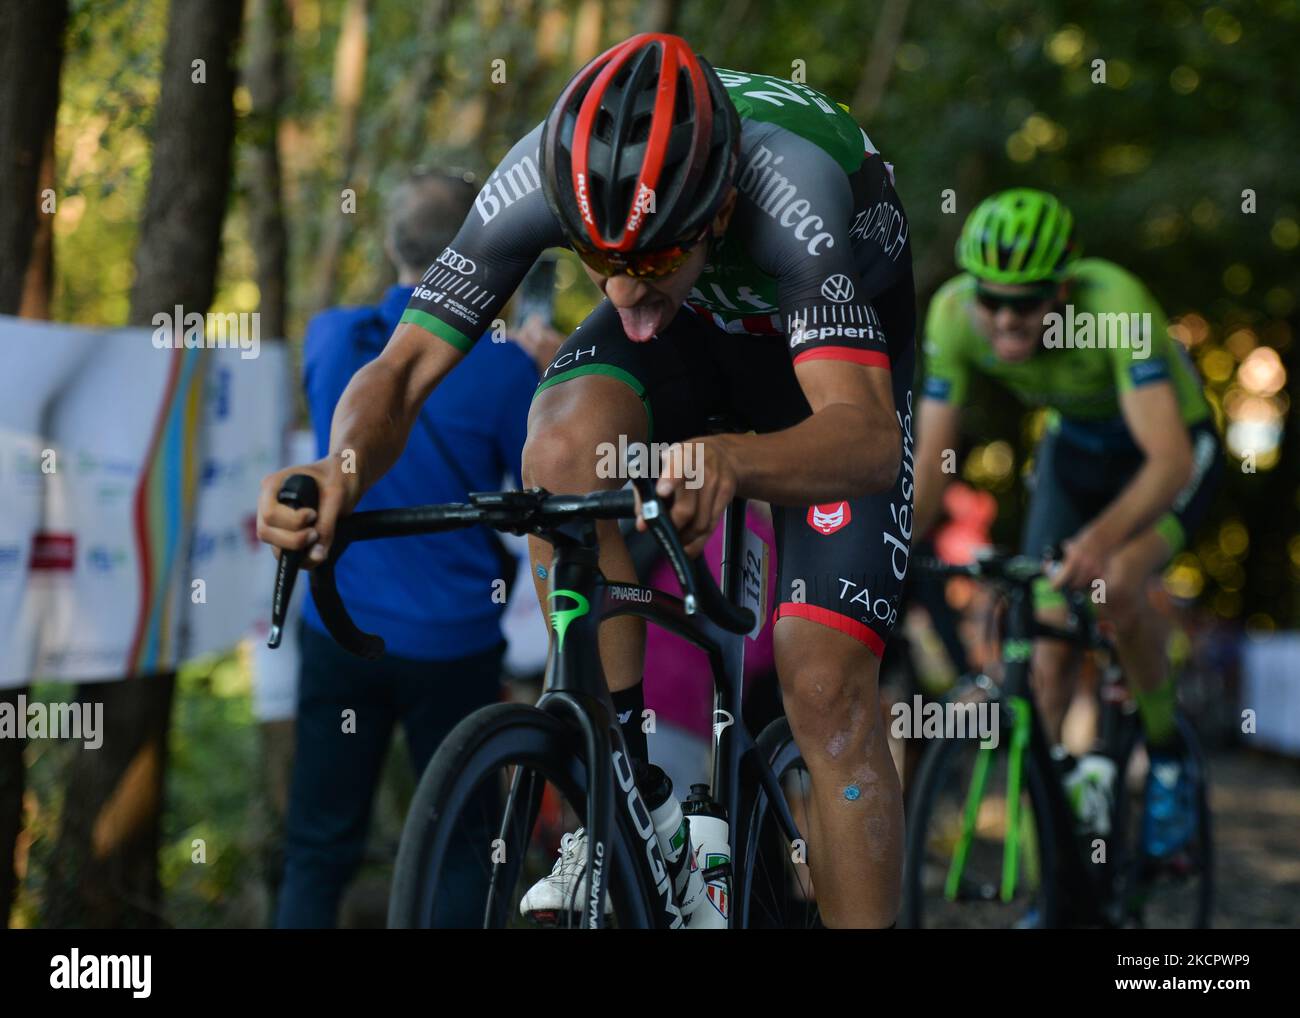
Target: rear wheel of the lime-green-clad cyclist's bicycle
[{"x": 1176, "y": 893}]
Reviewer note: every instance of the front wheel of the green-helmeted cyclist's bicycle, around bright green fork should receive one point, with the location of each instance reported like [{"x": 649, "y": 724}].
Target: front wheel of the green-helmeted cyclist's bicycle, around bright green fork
[{"x": 956, "y": 869}]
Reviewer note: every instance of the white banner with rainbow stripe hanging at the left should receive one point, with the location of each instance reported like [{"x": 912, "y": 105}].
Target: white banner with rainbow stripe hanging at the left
[{"x": 118, "y": 461}]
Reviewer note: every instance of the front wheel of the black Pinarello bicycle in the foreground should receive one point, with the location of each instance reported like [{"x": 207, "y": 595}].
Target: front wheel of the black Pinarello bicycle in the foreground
[{"x": 467, "y": 861}]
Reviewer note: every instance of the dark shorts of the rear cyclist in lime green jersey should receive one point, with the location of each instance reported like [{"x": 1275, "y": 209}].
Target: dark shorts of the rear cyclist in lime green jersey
[{"x": 1073, "y": 486}]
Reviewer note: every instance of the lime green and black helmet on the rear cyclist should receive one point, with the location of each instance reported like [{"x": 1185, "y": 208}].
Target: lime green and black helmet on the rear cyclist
[{"x": 1019, "y": 236}]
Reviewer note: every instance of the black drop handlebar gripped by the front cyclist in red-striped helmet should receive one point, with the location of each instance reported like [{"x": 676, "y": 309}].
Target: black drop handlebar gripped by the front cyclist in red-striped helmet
[{"x": 528, "y": 512}]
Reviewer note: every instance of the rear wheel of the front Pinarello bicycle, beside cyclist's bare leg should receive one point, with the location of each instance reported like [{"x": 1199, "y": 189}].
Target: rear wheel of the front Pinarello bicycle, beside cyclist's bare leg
[{"x": 774, "y": 889}]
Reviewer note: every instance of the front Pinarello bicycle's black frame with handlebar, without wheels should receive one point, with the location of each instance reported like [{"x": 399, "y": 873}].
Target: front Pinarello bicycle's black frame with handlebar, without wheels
[{"x": 575, "y": 688}]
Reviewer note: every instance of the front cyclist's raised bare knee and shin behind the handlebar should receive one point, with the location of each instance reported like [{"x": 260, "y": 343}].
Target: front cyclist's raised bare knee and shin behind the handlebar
[{"x": 565, "y": 427}]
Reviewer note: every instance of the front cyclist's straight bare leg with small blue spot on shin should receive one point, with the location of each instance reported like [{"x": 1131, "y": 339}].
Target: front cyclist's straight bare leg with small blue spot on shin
[{"x": 830, "y": 685}]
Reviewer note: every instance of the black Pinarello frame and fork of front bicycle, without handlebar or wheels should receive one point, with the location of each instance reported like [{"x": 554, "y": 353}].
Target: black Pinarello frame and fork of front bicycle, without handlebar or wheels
[{"x": 575, "y": 690}]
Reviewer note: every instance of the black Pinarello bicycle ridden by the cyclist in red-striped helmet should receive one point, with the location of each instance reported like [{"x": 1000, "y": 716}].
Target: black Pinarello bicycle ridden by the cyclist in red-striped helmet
[{"x": 512, "y": 779}]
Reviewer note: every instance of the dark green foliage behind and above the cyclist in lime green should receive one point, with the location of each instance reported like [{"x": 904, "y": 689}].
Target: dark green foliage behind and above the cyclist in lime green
[{"x": 1198, "y": 106}]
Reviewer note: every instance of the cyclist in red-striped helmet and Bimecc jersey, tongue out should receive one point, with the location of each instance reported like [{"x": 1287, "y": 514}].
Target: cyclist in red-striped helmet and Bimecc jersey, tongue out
[{"x": 755, "y": 262}]
